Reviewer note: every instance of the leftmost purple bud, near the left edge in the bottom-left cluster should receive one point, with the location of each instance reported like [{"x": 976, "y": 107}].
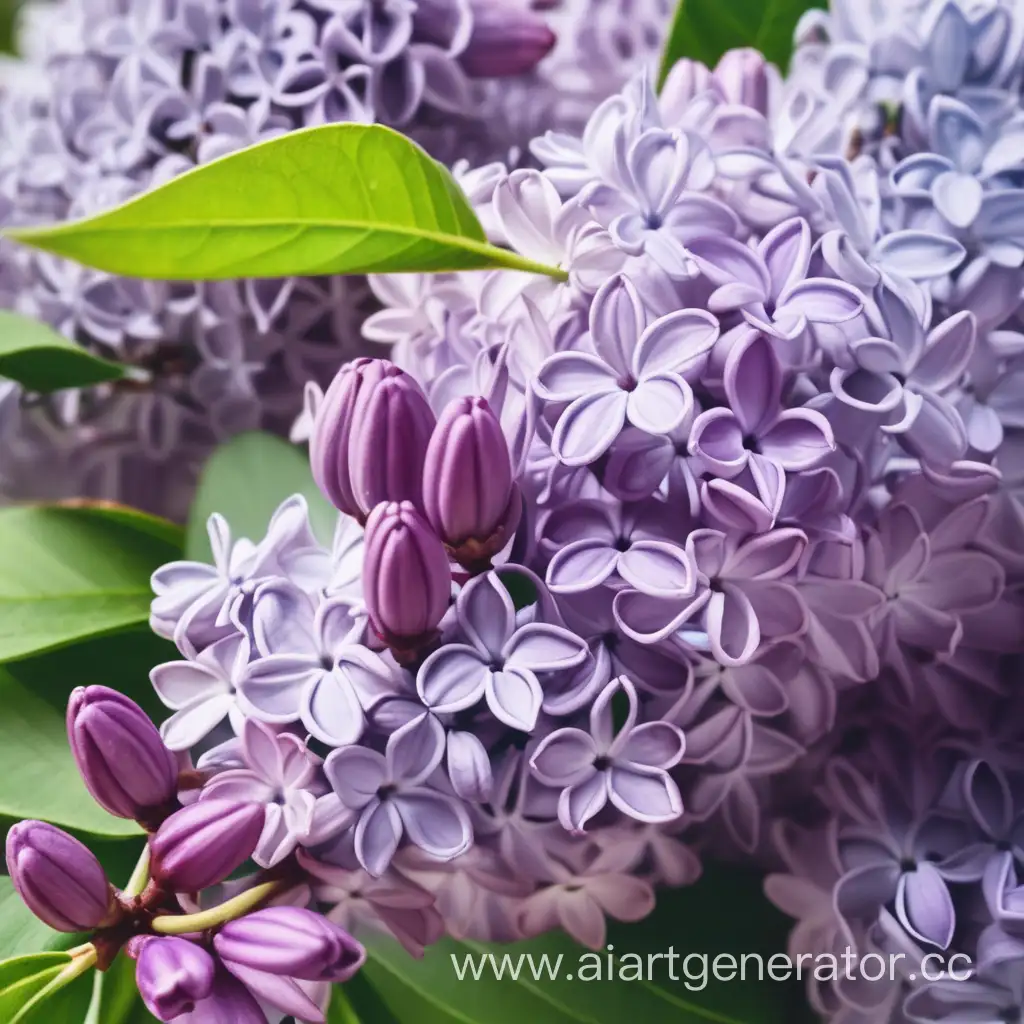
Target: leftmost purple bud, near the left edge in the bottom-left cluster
[{"x": 60, "y": 880}]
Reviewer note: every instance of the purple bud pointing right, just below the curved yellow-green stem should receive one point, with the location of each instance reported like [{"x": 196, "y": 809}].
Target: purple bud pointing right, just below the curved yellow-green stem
[{"x": 291, "y": 942}]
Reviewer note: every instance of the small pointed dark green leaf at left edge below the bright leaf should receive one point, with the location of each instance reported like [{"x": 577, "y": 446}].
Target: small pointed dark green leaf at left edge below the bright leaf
[{"x": 40, "y": 360}]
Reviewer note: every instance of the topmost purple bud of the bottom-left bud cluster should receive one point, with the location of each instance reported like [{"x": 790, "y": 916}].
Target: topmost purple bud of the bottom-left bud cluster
[{"x": 120, "y": 755}]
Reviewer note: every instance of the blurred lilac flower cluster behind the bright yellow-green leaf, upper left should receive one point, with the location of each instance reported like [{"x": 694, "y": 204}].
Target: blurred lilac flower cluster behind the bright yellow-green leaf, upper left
[{"x": 115, "y": 97}]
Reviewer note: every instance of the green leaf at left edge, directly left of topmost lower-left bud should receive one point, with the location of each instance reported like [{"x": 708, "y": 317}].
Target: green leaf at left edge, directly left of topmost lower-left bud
[{"x": 38, "y": 777}]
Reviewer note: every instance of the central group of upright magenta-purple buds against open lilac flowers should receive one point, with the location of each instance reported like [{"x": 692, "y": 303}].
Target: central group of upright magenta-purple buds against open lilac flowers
[{"x": 428, "y": 491}]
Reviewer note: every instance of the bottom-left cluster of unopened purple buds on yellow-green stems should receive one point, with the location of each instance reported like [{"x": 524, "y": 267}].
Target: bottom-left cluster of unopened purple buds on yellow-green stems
[{"x": 242, "y": 961}]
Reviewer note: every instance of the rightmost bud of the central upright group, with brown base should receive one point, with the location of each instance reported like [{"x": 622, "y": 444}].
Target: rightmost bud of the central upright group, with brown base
[{"x": 468, "y": 491}]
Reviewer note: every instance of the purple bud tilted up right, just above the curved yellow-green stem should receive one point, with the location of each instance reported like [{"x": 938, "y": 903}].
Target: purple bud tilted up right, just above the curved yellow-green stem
[{"x": 202, "y": 844}]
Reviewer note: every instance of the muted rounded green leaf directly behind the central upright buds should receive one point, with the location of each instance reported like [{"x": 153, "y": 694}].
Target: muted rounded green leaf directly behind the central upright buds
[{"x": 245, "y": 481}]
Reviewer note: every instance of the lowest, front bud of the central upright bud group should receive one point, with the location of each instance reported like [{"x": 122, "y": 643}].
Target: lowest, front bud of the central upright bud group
[{"x": 407, "y": 578}]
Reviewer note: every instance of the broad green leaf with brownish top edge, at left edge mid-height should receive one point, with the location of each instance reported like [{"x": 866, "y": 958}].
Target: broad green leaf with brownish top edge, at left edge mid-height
[{"x": 69, "y": 574}]
